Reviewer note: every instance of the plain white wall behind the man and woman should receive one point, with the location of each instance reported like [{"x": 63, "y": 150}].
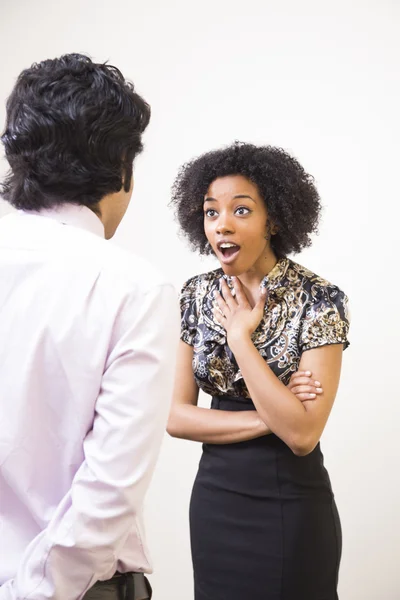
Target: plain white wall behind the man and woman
[{"x": 320, "y": 79}]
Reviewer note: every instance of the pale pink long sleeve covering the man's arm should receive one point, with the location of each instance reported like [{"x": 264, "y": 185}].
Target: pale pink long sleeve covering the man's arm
[{"x": 91, "y": 524}]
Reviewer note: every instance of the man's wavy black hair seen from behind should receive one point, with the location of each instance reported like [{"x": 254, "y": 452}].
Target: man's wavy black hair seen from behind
[{"x": 73, "y": 129}]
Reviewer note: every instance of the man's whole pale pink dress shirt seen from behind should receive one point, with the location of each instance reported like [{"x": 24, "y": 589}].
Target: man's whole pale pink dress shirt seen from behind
[{"x": 84, "y": 375}]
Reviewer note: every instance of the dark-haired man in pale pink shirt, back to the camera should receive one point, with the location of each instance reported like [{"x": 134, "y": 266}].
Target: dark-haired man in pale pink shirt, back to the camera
[{"x": 88, "y": 337}]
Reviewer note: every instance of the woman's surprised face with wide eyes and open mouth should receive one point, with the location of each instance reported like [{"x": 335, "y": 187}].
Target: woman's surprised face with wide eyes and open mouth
[{"x": 235, "y": 224}]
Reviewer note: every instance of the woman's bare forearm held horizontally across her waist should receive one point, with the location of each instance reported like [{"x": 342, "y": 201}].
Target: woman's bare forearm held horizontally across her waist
[{"x": 212, "y": 426}]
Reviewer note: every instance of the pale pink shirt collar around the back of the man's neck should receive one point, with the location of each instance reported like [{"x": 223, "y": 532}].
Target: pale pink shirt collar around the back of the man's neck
[{"x": 75, "y": 215}]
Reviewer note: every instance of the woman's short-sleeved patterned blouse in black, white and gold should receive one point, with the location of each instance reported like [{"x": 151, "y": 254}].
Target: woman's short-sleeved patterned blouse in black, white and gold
[{"x": 302, "y": 311}]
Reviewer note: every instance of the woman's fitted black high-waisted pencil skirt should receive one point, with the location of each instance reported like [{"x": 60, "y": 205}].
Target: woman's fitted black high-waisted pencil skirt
[{"x": 264, "y": 524}]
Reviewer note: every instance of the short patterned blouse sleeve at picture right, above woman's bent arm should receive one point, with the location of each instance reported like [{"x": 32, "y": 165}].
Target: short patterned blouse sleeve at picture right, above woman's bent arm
[{"x": 326, "y": 319}]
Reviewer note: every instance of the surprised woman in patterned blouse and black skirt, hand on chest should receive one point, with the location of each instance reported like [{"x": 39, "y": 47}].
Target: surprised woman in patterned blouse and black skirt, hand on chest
[{"x": 264, "y": 524}]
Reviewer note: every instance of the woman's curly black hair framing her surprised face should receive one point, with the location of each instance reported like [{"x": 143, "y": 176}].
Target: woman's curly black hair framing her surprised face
[{"x": 289, "y": 193}]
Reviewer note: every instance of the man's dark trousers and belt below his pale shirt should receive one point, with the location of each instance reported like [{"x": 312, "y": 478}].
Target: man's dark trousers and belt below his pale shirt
[{"x": 123, "y": 586}]
